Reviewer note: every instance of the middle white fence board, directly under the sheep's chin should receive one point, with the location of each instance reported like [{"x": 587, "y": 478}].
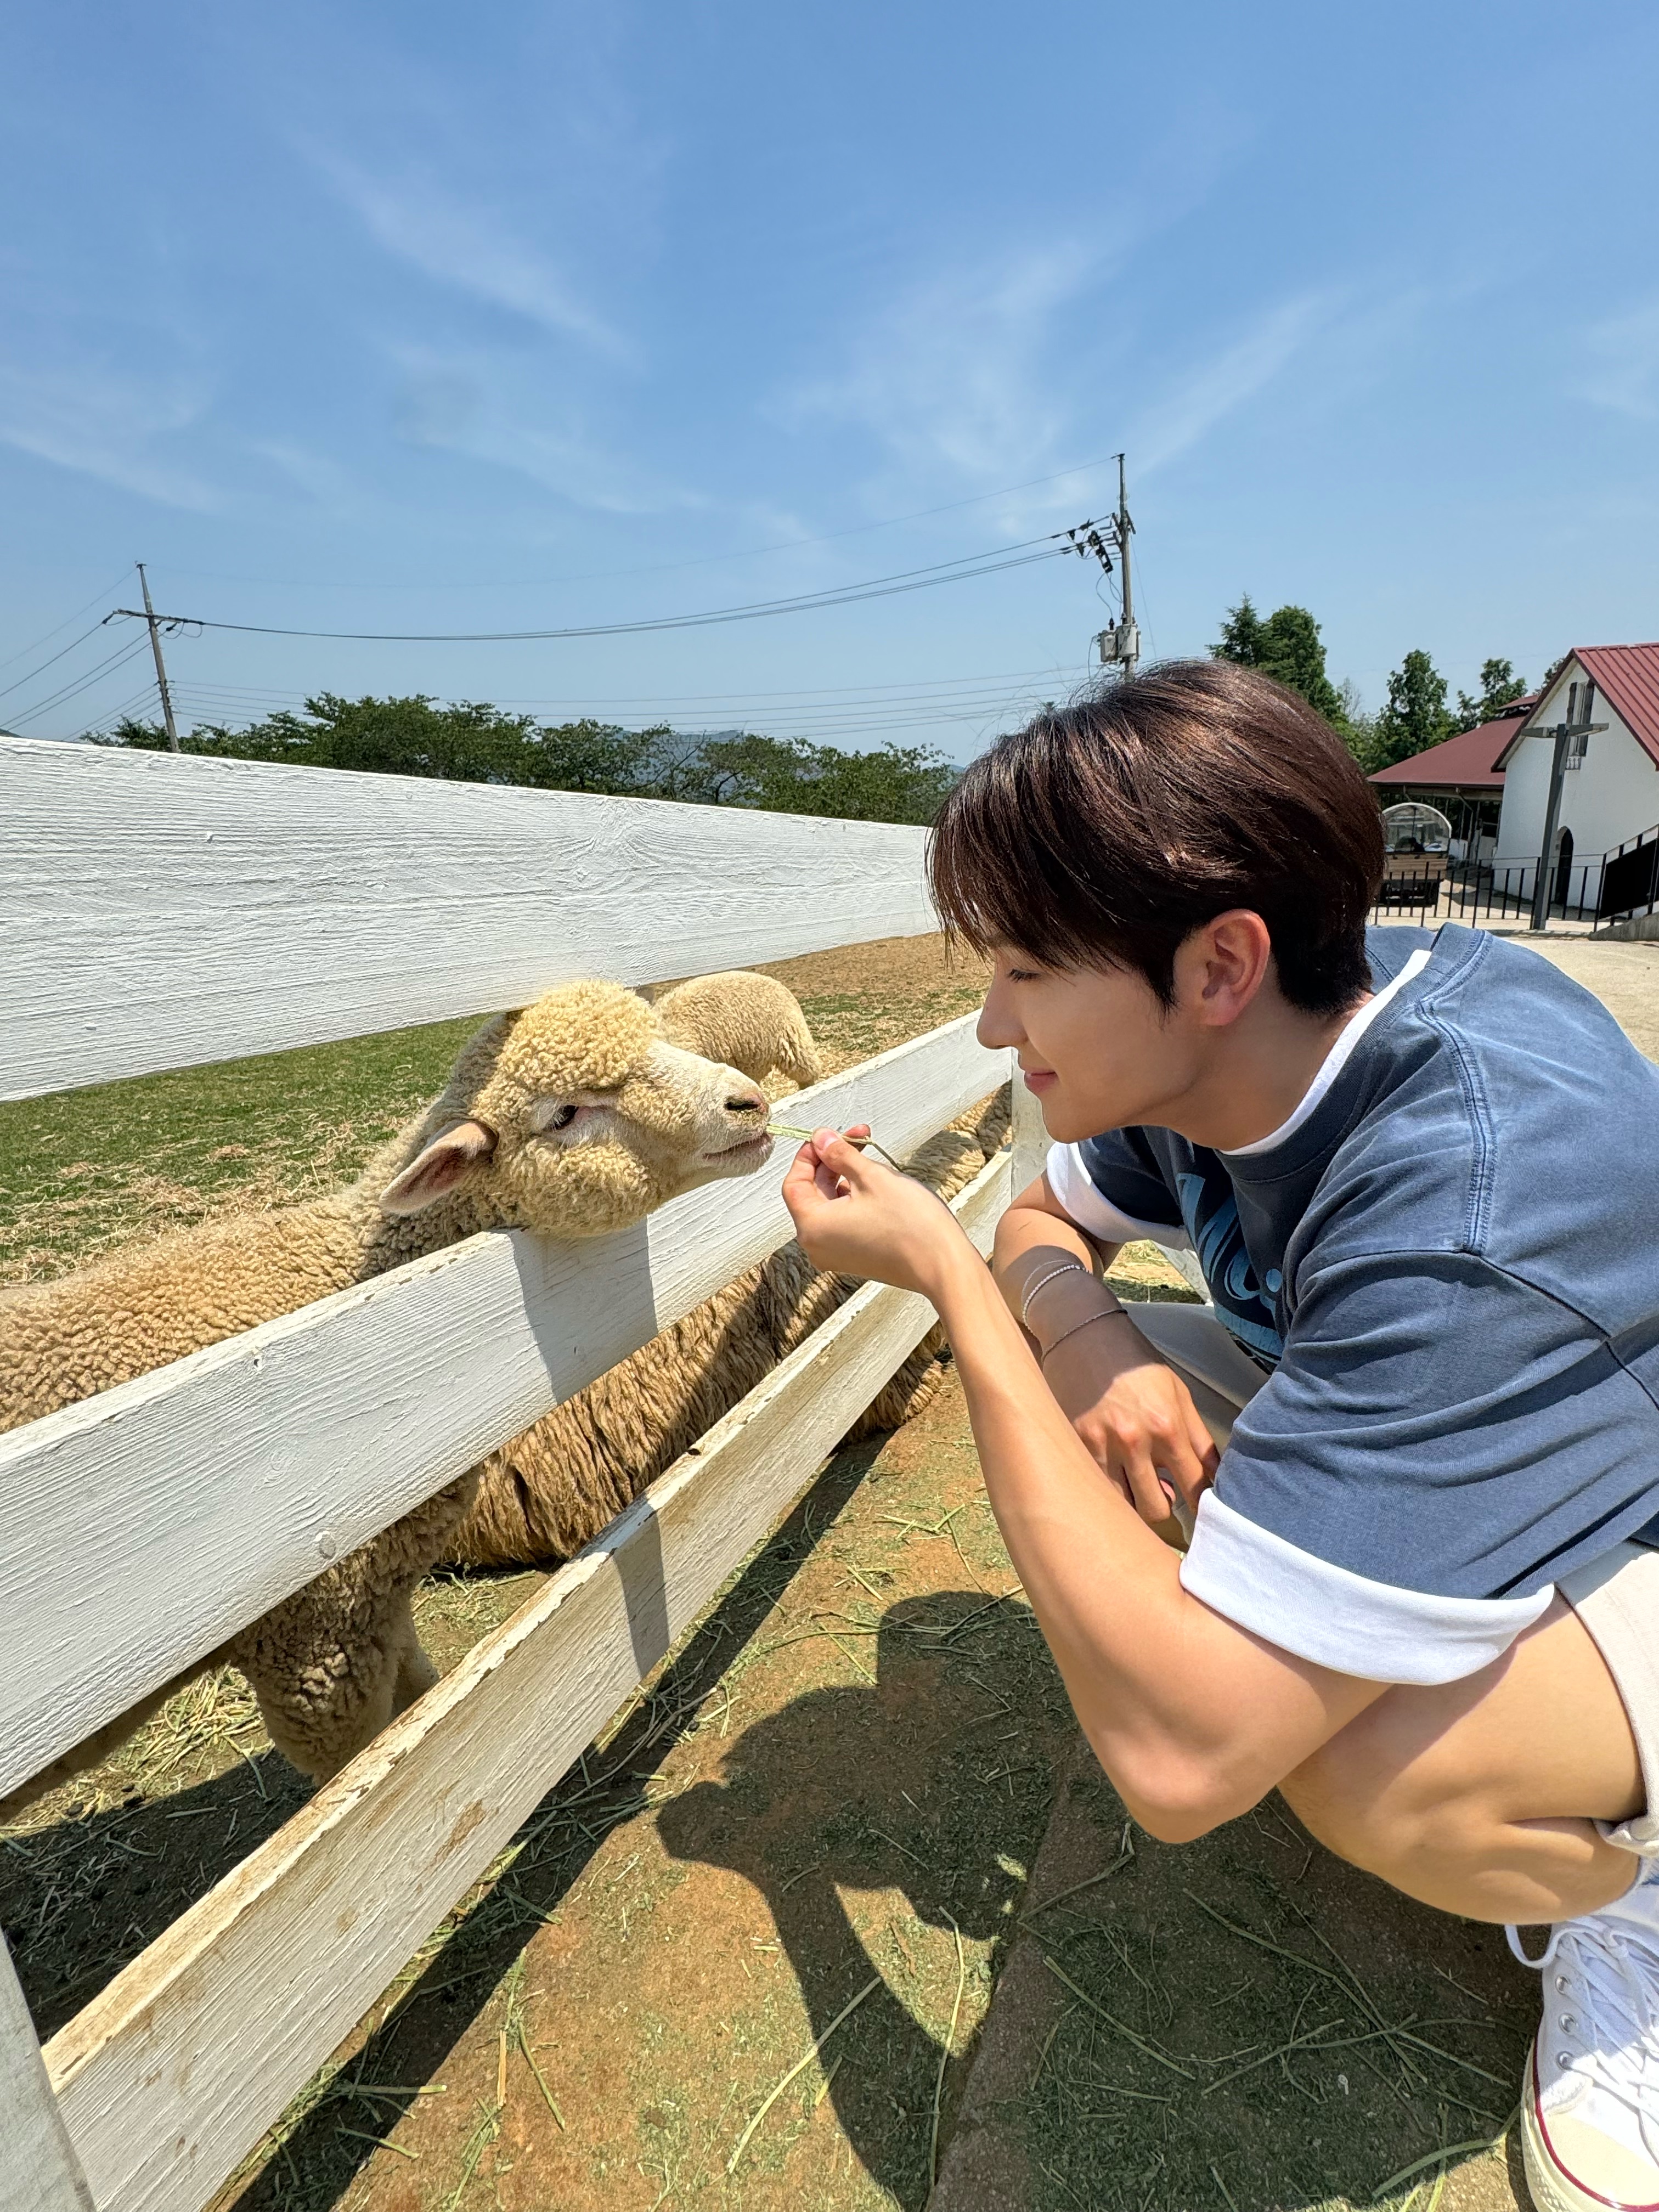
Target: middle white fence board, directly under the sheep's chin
[{"x": 154, "y": 1521}]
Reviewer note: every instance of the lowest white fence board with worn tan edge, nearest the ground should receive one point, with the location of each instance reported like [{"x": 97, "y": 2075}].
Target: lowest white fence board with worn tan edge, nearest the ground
[{"x": 194, "y": 2052}]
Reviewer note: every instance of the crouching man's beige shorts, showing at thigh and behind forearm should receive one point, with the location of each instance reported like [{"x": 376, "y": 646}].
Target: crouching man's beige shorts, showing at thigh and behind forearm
[{"x": 1616, "y": 1596}]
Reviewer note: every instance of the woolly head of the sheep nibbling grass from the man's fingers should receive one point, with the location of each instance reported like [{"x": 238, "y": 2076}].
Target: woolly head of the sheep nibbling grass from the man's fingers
[{"x": 589, "y": 1120}]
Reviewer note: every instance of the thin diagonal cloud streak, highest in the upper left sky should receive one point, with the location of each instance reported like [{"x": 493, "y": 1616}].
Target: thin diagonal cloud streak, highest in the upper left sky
[{"x": 466, "y": 247}]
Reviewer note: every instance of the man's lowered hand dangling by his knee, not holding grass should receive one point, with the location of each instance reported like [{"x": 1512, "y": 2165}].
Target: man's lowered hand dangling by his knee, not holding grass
[{"x": 1134, "y": 1415}]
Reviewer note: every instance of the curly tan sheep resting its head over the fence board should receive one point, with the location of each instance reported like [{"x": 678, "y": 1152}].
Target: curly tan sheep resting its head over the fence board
[{"x": 570, "y": 1118}]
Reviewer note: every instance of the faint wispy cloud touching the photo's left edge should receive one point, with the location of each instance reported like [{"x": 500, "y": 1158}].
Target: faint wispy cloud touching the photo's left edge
[{"x": 101, "y": 424}]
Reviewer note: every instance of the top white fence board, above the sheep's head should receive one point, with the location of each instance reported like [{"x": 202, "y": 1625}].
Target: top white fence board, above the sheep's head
[{"x": 160, "y": 912}]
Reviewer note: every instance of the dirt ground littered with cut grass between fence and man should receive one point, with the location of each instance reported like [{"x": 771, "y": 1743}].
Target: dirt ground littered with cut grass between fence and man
[{"x": 747, "y": 1957}]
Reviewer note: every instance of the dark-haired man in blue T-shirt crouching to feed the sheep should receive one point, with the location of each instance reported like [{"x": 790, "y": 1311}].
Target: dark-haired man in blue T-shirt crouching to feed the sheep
[{"x": 1421, "y": 1178}]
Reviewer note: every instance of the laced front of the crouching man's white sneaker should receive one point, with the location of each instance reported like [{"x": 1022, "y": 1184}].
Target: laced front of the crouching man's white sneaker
[{"x": 1603, "y": 2014}]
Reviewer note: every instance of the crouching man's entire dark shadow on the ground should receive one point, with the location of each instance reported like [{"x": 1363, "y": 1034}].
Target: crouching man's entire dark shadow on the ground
[{"x": 1244, "y": 2007}]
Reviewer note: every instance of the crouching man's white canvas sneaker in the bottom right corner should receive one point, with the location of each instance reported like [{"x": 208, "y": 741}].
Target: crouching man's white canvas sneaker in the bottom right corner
[{"x": 1592, "y": 2094}]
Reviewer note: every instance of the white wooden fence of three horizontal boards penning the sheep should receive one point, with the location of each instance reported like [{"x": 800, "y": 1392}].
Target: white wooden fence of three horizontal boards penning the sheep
[{"x": 160, "y": 912}]
